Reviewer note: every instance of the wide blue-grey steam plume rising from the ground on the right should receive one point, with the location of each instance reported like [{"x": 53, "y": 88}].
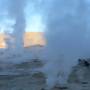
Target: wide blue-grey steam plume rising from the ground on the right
[{"x": 67, "y": 27}]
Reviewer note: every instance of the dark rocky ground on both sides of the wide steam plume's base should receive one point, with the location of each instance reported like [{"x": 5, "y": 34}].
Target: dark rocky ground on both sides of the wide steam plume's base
[{"x": 24, "y": 76}]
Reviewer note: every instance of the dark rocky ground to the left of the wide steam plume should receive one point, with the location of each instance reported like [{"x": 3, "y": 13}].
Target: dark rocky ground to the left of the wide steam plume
[{"x": 22, "y": 76}]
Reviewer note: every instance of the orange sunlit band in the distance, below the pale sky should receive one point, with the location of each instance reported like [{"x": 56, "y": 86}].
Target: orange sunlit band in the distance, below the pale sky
[{"x": 30, "y": 39}]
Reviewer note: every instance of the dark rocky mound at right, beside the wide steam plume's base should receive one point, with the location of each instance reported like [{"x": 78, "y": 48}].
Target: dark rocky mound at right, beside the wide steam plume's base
[{"x": 80, "y": 73}]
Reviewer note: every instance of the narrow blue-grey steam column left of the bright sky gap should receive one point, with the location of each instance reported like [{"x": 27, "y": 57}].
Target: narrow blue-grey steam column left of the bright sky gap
[{"x": 16, "y": 12}]
